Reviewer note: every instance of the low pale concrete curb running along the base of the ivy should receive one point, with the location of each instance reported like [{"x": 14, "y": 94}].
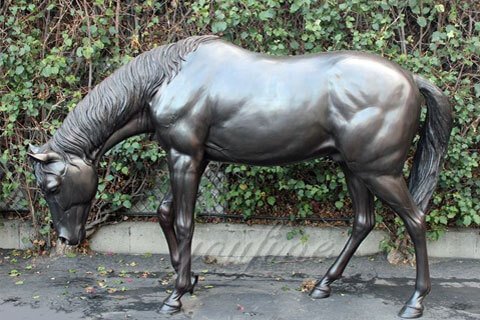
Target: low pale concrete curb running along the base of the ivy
[{"x": 240, "y": 243}]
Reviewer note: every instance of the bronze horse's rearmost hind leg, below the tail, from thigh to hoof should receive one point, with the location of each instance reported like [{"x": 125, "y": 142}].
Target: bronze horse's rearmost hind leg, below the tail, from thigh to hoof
[{"x": 393, "y": 190}]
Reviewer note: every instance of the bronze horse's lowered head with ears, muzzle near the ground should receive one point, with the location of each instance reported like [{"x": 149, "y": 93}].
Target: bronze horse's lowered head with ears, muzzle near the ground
[{"x": 69, "y": 186}]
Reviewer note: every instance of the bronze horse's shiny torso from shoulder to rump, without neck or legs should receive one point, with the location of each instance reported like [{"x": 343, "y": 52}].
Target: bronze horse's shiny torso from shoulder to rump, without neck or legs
[{"x": 254, "y": 108}]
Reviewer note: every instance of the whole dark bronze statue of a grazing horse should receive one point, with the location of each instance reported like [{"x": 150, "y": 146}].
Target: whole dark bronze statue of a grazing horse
[{"x": 209, "y": 100}]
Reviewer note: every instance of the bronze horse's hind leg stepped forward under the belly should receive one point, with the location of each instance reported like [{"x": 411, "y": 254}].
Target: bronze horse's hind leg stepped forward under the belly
[{"x": 363, "y": 206}]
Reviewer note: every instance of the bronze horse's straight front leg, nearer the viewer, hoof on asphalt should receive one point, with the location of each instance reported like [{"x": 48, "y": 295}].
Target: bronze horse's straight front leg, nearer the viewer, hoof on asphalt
[{"x": 185, "y": 173}]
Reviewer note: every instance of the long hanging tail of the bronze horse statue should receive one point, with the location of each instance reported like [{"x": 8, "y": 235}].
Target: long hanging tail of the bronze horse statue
[{"x": 432, "y": 146}]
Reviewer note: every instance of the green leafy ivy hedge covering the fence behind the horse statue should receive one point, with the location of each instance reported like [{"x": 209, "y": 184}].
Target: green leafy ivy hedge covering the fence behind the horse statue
[{"x": 54, "y": 51}]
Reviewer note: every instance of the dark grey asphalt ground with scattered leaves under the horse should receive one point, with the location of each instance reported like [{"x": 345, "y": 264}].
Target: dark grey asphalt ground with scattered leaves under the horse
[{"x": 114, "y": 286}]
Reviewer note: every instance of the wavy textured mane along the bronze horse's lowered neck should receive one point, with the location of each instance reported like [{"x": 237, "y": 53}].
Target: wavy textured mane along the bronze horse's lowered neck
[{"x": 117, "y": 98}]
